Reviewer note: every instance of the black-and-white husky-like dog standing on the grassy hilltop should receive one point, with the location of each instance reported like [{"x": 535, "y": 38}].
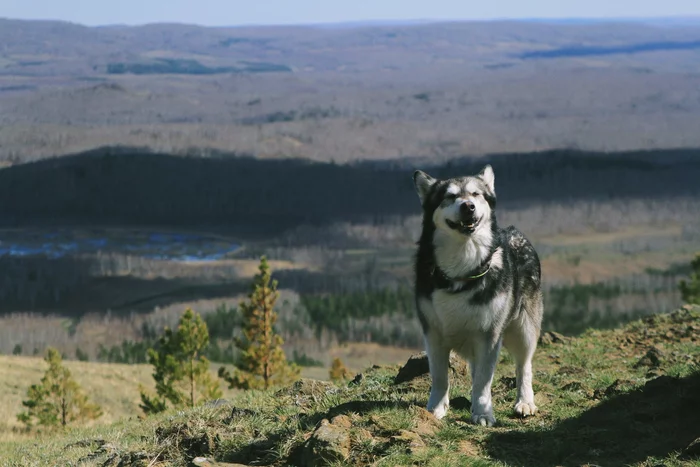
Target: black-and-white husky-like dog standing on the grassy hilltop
[{"x": 477, "y": 287}]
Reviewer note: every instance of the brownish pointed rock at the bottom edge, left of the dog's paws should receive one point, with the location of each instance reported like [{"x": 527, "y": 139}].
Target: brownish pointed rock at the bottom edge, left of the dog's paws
[{"x": 329, "y": 444}]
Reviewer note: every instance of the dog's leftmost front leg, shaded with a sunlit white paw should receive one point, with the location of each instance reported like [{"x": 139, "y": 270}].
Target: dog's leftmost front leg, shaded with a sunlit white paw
[{"x": 439, "y": 361}]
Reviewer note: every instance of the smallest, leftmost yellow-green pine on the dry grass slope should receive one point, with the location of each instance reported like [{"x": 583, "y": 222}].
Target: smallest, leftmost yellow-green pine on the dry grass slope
[{"x": 58, "y": 399}]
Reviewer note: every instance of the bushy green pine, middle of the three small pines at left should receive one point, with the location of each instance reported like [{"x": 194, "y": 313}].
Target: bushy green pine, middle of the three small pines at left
[{"x": 181, "y": 371}]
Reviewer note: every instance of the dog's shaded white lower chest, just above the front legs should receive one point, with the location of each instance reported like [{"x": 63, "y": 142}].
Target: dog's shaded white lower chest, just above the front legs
[{"x": 453, "y": 314}]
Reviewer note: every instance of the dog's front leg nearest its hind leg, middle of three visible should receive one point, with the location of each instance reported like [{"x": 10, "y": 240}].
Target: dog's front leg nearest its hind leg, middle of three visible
[{"x": 483, "y": 365}]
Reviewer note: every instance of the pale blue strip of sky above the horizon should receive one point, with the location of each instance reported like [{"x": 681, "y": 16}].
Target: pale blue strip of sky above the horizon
[{"x": 240, "y": 12}]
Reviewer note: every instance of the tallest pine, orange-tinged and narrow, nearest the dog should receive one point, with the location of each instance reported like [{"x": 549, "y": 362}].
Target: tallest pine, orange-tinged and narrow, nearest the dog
[{"x": 262, "y": 363}]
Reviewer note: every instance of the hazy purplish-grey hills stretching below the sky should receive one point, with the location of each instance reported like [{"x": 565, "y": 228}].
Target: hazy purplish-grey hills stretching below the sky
[{"x": 357, "y": 92}]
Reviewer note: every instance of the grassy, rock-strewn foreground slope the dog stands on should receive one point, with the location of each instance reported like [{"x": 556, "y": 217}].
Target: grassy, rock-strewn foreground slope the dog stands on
[{"x": 598, "y": 406}]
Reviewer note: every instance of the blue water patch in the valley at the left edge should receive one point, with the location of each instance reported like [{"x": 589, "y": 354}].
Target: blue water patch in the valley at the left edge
[{"x": 155, "y": 245}]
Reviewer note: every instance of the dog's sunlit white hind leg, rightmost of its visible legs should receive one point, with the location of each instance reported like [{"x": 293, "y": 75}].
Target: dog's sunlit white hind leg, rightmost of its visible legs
[{"x": 521, "y": 341}]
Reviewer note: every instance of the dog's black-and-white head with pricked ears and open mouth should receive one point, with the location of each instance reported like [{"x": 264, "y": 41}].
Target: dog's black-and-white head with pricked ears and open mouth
[{"x": 459, "y": 206}]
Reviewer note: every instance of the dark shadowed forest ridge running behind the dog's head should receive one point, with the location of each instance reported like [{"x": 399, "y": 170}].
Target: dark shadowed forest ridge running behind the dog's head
[{"x": 247, "y": 196}]
